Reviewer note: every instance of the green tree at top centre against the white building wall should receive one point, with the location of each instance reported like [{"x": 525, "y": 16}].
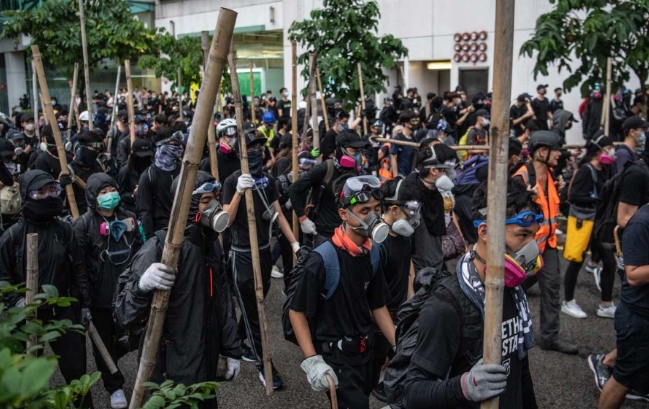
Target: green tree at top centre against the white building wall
[{"x": 344, "y": 33}]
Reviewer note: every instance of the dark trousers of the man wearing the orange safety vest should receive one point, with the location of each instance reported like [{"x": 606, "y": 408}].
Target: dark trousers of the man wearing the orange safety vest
[{"x": 549, "y": 280}]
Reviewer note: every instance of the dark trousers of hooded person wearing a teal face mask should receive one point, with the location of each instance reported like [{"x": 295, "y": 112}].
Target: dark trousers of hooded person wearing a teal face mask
[{"x": 103, "y": 320}]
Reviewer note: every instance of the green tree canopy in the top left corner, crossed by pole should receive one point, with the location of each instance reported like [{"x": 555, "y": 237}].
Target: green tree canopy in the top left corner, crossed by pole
[{"x": 111, "y": 31}]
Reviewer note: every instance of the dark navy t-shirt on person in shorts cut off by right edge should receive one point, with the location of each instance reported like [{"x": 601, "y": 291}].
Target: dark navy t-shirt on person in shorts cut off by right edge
[{"x": 634, "y": 246}]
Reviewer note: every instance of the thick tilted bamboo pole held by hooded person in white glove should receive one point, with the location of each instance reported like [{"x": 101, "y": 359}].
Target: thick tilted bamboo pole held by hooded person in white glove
[{"x": 182, "y": 199}]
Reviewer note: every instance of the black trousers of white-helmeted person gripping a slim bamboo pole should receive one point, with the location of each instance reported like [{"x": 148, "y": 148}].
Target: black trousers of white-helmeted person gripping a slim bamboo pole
[{"x": 244, "y": 279}]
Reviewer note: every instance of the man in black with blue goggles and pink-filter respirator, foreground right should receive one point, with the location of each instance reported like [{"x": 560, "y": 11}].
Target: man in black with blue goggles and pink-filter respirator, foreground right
[{"x": 446, "y": 366}]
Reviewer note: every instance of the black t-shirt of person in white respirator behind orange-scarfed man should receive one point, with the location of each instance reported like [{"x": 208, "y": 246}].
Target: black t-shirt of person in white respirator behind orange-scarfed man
[{"x": 397, "y": 269}]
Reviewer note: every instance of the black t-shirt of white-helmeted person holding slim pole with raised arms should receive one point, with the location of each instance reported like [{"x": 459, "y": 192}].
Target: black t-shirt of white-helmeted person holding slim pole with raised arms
[{"x": 240, "y": 236}]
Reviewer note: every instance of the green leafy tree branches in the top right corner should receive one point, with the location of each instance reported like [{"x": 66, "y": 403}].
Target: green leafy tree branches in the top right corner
[{"x": 590, "y": 31}]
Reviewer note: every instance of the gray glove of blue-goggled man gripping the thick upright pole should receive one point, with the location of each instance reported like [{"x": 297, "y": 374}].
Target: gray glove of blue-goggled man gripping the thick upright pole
[{"x": 483, "y": 382}]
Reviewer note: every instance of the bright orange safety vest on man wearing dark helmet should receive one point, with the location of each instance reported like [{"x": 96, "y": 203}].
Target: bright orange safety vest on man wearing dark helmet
[{"x": 550, "y": 206}]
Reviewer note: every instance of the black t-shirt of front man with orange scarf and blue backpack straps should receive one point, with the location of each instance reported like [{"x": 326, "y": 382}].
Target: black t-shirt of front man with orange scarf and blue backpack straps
[{"x": 347, "y": 312}]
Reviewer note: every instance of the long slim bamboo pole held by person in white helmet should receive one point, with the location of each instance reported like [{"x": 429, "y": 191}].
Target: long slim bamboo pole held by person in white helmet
[{"x": 252, "y": 225}]
